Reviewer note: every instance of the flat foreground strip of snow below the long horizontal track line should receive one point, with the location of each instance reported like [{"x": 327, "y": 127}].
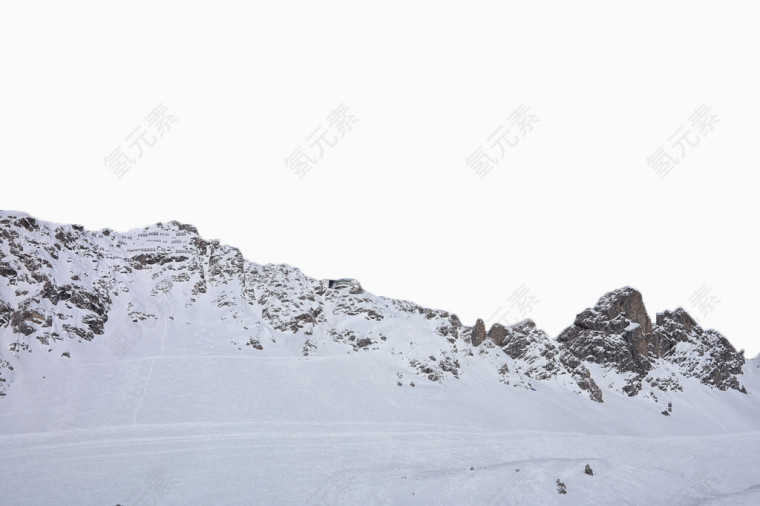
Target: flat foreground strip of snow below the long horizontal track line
[{"x": 313, "y": 463}]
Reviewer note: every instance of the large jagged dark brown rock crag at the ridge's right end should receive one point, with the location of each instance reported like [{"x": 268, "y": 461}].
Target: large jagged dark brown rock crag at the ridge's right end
[{"x": 617, "y": 333}]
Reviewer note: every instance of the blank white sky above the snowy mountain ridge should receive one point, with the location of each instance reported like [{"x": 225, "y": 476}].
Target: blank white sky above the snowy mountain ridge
[{"x": 570, "y": 212}]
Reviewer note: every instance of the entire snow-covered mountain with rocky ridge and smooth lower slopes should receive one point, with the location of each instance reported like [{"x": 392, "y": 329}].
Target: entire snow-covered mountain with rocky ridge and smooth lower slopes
[{"x": 157, "y": 335}]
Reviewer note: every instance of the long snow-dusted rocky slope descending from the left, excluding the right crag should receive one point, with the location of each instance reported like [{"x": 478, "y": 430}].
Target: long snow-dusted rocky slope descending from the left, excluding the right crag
[{"x": 64, "y": 284}]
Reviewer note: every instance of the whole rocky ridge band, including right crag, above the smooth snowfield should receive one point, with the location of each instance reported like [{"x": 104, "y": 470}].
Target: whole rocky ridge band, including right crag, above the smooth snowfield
[{"x": 62, "y": 282}]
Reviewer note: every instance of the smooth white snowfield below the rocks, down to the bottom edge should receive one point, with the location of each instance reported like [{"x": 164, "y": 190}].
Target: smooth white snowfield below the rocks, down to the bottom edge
[{"x": 180, "y": 419}]
